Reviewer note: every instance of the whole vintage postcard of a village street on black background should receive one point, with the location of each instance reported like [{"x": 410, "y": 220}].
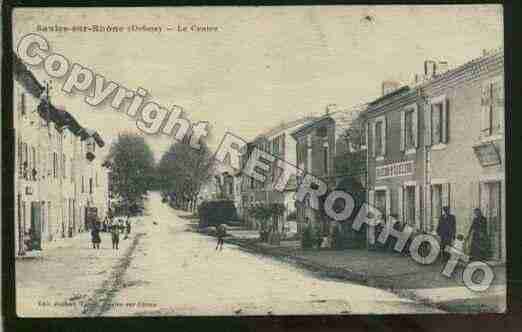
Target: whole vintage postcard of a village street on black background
[{"x": 245, "y": 161}]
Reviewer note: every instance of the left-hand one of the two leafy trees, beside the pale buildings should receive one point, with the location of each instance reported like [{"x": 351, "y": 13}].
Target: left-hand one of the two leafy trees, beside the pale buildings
[{"x": 131, "y": 163}]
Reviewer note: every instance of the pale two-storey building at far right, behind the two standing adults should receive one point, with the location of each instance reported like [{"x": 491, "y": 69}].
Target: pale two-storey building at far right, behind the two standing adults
[{"x": 465, "y": 139}]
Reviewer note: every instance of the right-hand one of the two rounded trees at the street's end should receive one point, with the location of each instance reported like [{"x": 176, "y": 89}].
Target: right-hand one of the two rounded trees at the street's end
[{"x": 182, "y": 171}]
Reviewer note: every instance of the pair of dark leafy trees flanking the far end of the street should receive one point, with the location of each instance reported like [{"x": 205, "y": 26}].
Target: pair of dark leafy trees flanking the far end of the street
[{"x": 179, "y": 174}]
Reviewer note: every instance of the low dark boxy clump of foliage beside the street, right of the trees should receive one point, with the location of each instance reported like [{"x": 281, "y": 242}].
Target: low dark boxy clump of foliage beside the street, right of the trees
[{"x": 214, "y": 213}]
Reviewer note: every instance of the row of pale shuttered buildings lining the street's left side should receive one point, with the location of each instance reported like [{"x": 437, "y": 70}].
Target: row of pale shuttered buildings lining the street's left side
[{"x": 51, "y": 150}]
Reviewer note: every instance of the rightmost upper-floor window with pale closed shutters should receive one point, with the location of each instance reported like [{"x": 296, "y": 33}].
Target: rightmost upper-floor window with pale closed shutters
[{"x": 492, "y": 107}]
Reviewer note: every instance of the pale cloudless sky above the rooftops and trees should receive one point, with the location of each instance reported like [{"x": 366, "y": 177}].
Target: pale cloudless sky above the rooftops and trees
[{"x": 263, "y": 65}]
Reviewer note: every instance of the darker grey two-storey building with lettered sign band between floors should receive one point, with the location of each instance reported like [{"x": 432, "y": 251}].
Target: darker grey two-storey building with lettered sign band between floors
[{"x": 396, "y": 155}]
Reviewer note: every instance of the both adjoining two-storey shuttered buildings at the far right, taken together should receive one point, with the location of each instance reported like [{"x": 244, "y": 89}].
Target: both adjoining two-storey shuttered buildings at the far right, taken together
[{"x": 441, "y": 142}]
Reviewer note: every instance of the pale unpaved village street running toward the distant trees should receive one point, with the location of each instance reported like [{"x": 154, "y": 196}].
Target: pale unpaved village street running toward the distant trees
[{"x": 167, "y": 269}]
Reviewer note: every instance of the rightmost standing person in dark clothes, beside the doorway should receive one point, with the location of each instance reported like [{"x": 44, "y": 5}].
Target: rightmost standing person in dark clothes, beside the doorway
[{"x": 478, "y": 233}]
